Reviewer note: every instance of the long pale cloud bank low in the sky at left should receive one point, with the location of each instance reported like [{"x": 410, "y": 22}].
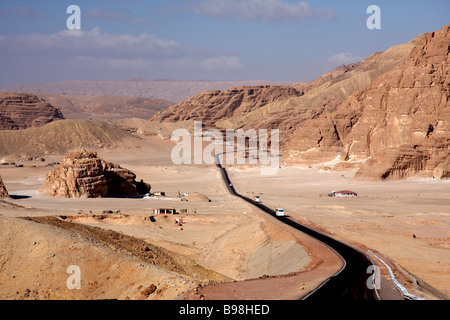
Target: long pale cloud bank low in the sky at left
[{"x": 96, "y": 49}]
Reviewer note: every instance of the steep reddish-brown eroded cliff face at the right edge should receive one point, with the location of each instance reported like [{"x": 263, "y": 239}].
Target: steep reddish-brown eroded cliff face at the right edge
[{"x": 400, "y": 122}]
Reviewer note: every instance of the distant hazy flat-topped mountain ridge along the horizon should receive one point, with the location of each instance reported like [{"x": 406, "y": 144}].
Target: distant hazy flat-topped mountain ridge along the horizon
[{"x": 170, "y": 90}]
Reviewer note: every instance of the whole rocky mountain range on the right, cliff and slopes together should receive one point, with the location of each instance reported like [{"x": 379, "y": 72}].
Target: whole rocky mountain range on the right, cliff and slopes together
[{"x": 390, "y": 110}]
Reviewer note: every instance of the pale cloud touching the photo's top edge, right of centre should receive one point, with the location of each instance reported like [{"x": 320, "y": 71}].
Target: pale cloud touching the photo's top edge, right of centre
[{"x": 263, "y": 10}]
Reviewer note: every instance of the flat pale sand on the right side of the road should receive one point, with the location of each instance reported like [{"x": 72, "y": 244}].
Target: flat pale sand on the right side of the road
[{"x": 406, "y": 221}]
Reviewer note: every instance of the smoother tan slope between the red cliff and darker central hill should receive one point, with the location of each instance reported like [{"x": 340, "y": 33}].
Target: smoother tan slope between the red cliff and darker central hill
[{"x": 322, "y": 95}]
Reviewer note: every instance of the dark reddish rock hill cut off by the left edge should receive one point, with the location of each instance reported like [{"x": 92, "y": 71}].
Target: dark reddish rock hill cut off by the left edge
[{"x": 23, "y": 110}]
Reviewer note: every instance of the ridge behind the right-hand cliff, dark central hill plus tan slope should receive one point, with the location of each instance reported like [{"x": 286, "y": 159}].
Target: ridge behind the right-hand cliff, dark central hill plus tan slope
[{"x": 290, "y": 105}]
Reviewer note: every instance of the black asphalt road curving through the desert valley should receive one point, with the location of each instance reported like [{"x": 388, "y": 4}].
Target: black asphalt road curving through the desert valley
[{"x": 349, "y": 283}]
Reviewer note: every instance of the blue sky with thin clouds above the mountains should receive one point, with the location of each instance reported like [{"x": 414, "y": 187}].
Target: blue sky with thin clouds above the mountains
[{"x": 277, "y": 40}]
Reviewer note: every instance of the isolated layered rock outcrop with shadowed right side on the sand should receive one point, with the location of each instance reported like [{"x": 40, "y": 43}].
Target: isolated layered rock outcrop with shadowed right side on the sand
[{"x": 83, "y": 174}]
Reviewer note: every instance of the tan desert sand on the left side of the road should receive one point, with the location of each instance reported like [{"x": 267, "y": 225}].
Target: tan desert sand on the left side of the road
[{"x": 227, "y": 237}]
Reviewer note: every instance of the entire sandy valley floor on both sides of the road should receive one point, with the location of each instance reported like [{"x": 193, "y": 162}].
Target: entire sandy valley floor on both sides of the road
[{"x": 257, "y": 257}]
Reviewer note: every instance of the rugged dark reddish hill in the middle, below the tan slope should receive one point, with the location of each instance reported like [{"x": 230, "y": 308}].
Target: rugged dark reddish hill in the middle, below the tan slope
[{"x": 212, "y": 106}]
